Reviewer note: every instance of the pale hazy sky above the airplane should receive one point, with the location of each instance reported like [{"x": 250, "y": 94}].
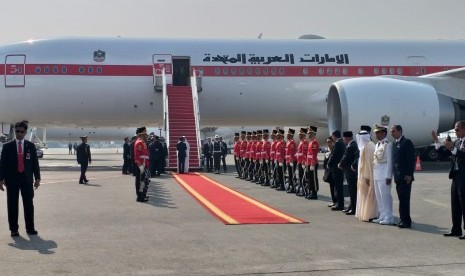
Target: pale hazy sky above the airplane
[{"x": 391, "y": 19}]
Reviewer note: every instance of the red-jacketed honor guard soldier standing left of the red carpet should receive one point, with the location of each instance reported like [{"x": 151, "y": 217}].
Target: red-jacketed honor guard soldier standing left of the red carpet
[{"x": 141, "y": 159}]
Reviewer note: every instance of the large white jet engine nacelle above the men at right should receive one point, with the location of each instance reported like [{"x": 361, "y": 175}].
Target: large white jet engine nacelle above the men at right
[{"x": 416, "y": 106}]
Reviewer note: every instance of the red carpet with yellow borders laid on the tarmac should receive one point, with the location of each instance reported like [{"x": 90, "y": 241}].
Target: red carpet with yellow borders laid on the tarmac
[{"x": 228, "y": 205}]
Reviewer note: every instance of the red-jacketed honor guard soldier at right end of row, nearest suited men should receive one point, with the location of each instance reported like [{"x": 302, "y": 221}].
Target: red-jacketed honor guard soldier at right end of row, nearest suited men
[{"x": 312, "y": 163}]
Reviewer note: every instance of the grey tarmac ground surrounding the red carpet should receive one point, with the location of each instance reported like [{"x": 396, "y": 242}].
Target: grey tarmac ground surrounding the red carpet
[{"x": 100, "y": 229}]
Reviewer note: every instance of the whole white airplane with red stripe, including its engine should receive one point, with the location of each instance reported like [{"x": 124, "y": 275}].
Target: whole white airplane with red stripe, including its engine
[{"x": 334, "y": 84}]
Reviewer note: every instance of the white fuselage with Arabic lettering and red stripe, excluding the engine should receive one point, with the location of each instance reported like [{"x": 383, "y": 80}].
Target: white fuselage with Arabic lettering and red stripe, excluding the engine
[{"x": 244, "y": 82}]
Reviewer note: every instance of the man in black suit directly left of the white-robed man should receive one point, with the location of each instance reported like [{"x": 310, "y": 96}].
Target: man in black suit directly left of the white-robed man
[{"x": 347, "y": 164}]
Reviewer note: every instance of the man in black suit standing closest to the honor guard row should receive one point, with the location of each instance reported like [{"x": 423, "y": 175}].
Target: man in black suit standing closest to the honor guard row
[{"x": 336, "y": 173}]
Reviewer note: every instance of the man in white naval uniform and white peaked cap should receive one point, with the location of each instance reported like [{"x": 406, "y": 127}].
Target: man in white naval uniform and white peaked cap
[{"x": 382, "y": 174}]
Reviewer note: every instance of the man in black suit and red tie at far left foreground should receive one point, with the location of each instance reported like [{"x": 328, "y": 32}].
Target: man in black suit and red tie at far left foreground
[{"x": 19, "y": 166}]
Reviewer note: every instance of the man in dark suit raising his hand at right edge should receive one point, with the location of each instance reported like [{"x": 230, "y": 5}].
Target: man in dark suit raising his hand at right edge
[{"x": 457, "y": 174}]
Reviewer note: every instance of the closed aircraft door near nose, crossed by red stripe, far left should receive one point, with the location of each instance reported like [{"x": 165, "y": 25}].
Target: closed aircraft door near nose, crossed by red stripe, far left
[{"x": 15, "y": 75}]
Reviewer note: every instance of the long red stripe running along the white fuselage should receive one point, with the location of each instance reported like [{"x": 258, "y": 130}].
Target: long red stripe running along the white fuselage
[{"x": 231, "y": 71}]
